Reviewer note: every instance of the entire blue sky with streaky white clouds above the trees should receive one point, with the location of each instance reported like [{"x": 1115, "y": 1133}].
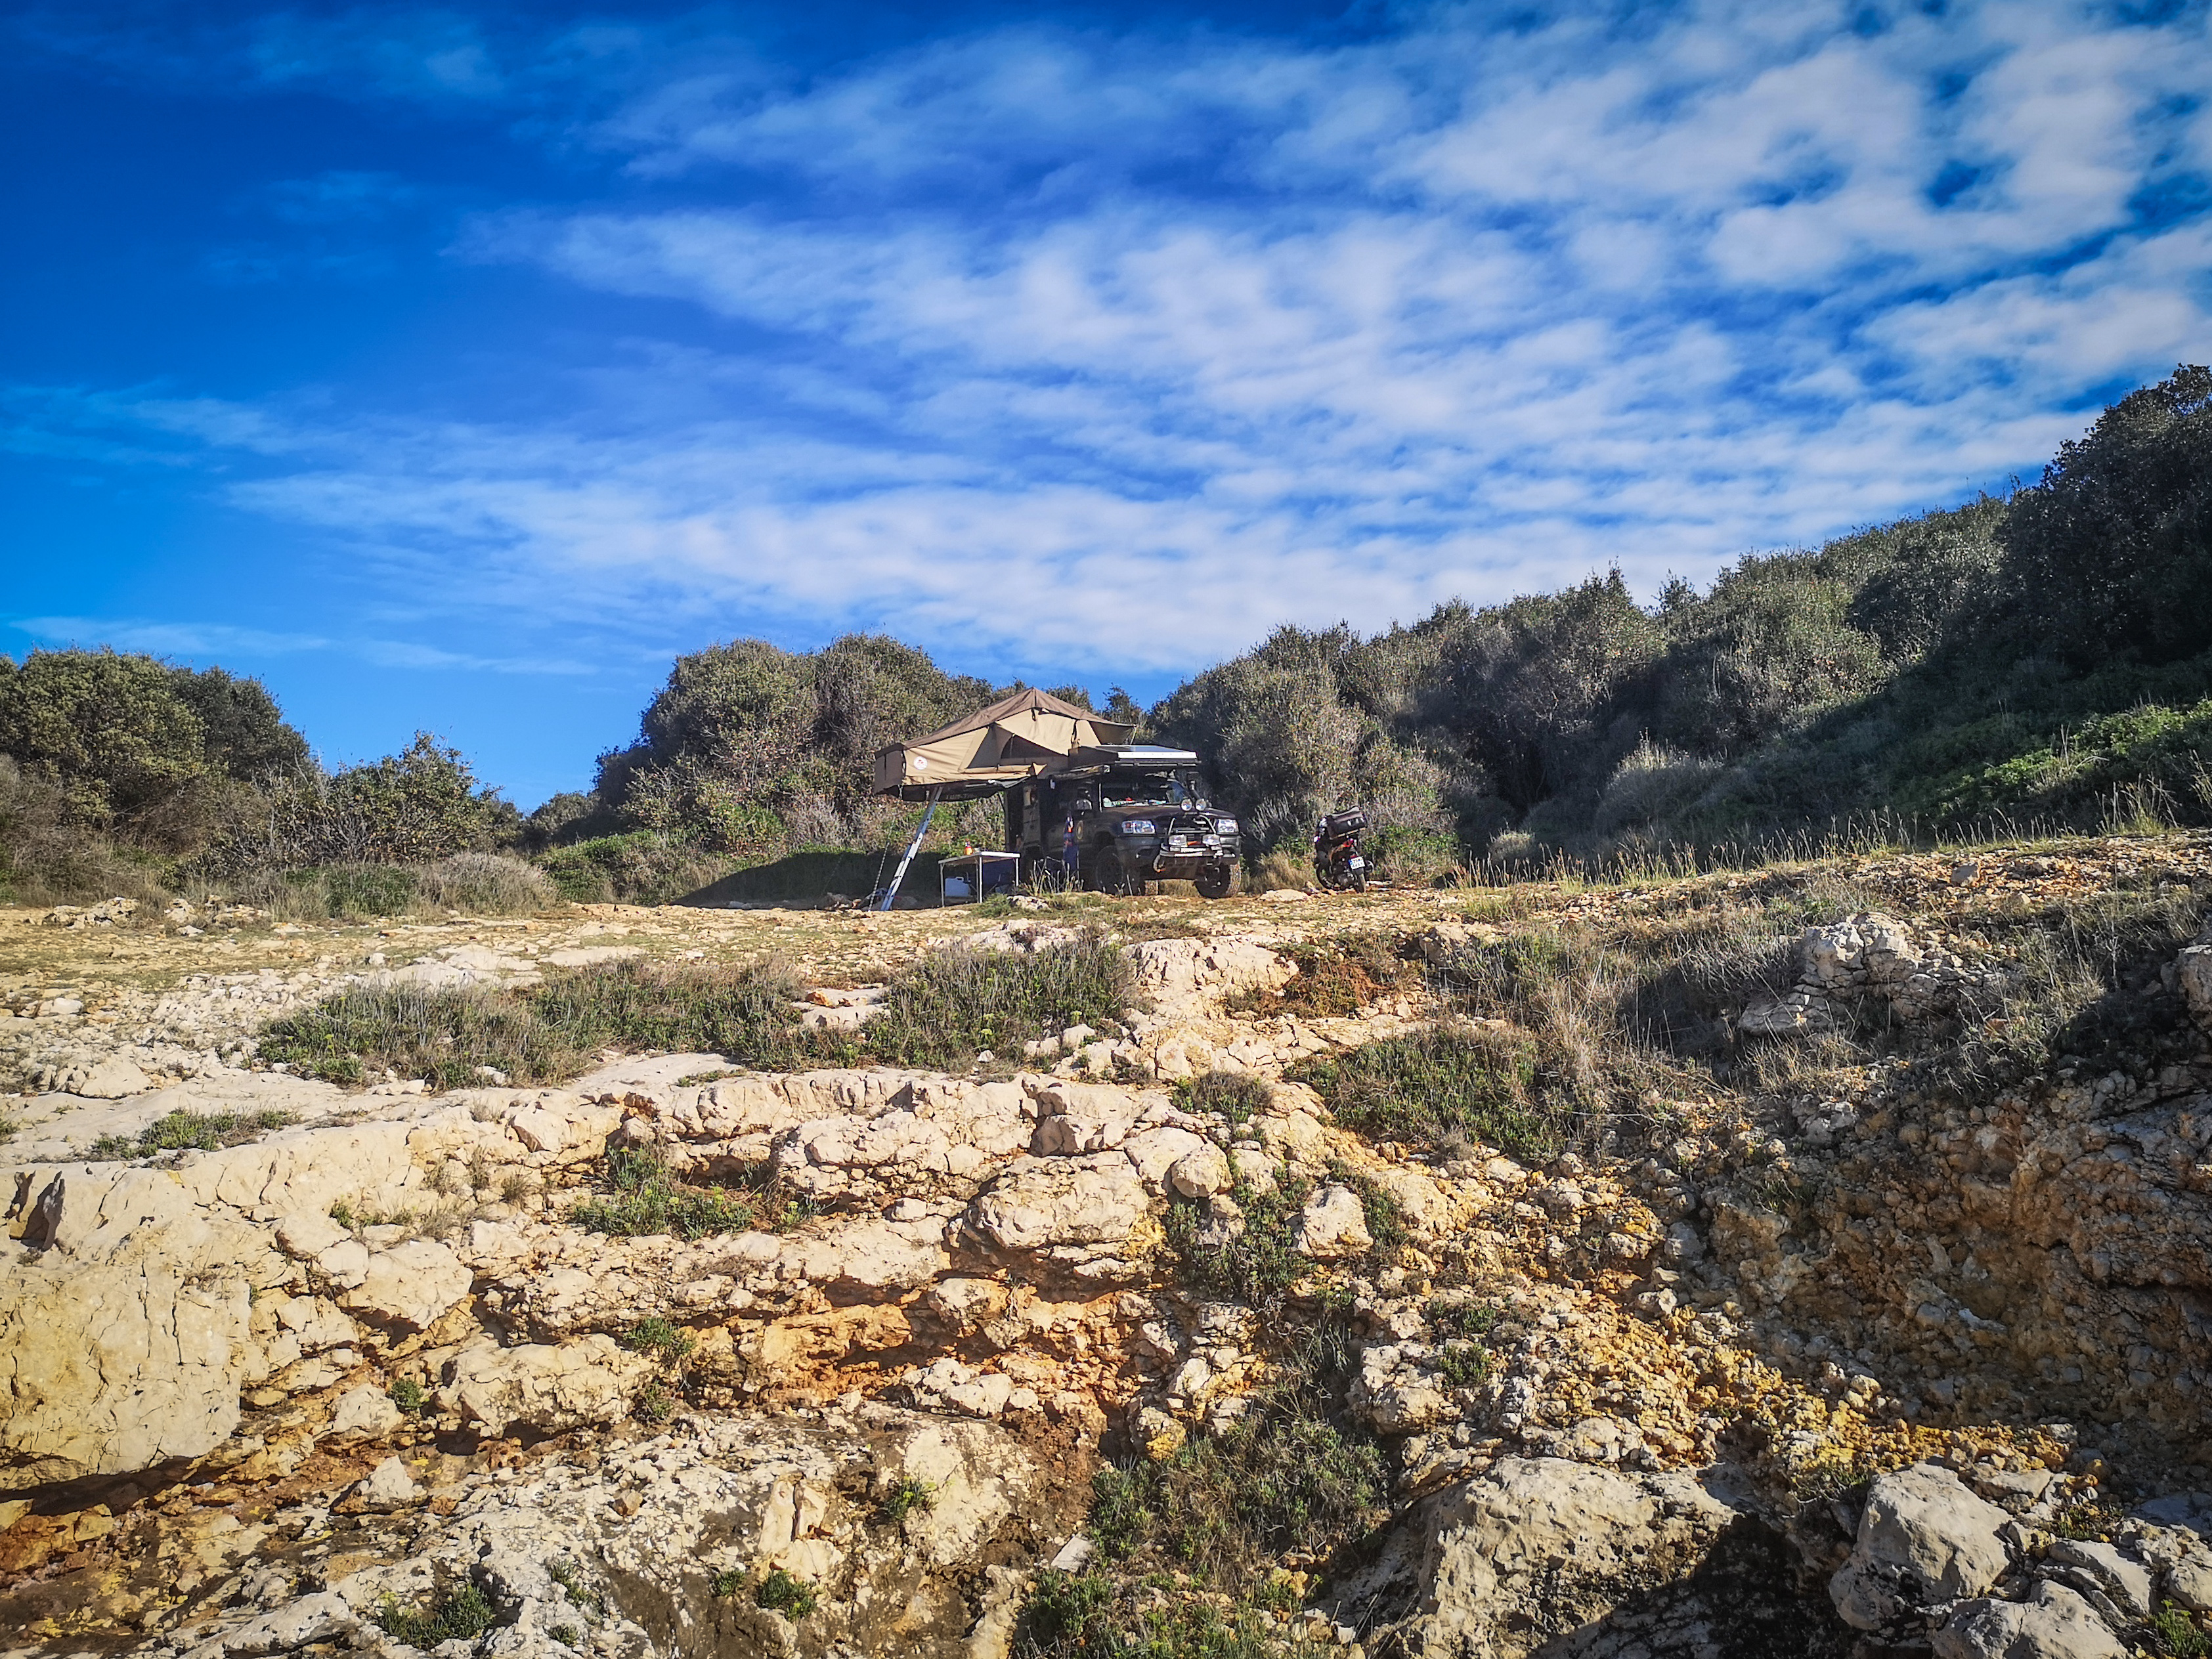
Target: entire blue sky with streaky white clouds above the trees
[{"x": 461, "y": 366}]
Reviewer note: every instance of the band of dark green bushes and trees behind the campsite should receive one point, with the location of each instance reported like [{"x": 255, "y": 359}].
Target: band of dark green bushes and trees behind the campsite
[{"x": 2038, "y": 660}]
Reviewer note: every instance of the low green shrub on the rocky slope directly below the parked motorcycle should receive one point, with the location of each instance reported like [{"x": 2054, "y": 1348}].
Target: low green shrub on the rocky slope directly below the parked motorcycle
[{"x": 1439, "y": 1085}]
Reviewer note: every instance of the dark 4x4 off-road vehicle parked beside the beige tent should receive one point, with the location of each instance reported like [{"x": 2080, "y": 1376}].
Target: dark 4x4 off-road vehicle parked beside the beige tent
[{"x": 1140, "y": 815}]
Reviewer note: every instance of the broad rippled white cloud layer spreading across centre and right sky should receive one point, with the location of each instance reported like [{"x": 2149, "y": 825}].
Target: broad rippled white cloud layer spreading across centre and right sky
[{"x": 1136, "y": 346}]
